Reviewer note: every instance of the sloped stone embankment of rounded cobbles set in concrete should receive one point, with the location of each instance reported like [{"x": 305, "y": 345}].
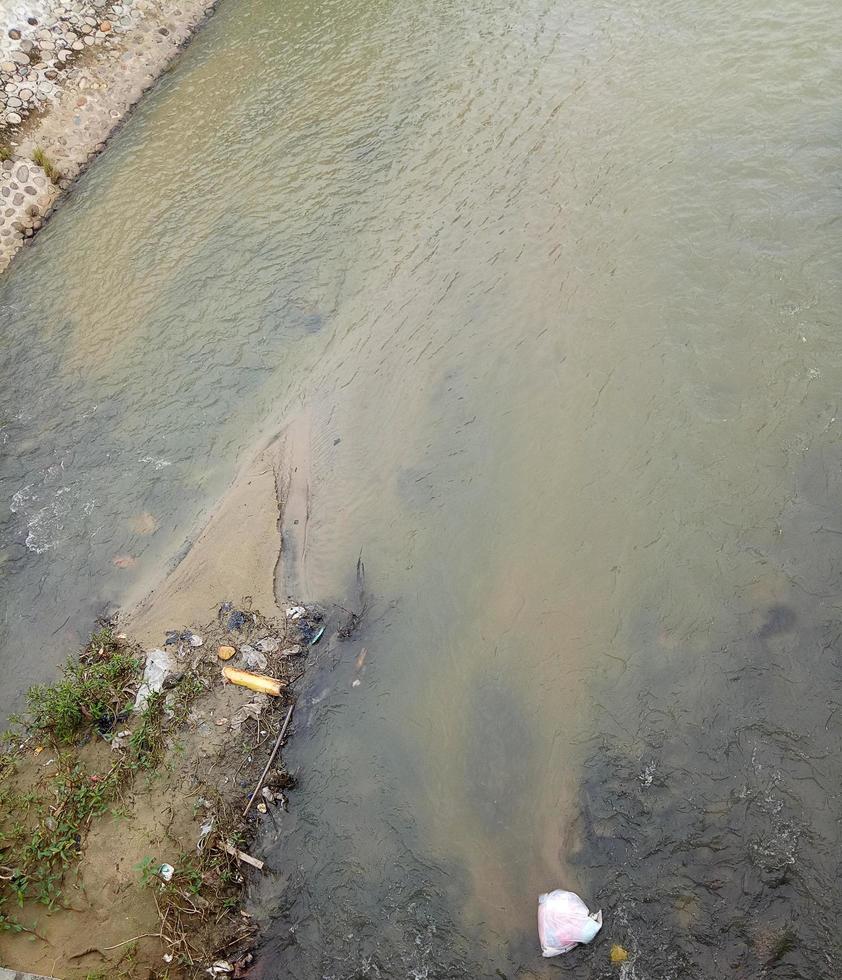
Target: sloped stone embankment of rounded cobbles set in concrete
[{"x": 70, "y": 70}]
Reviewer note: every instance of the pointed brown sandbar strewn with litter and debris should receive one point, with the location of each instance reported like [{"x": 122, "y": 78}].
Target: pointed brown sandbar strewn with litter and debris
[{"x": 214, "y": 741}]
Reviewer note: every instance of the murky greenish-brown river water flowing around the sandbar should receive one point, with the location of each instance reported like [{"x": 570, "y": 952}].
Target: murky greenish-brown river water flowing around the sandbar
[{"x": 557, "y": 288}]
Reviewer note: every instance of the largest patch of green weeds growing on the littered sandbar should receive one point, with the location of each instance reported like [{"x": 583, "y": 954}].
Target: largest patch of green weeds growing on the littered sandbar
[{"x": 42, "y": 827}]
